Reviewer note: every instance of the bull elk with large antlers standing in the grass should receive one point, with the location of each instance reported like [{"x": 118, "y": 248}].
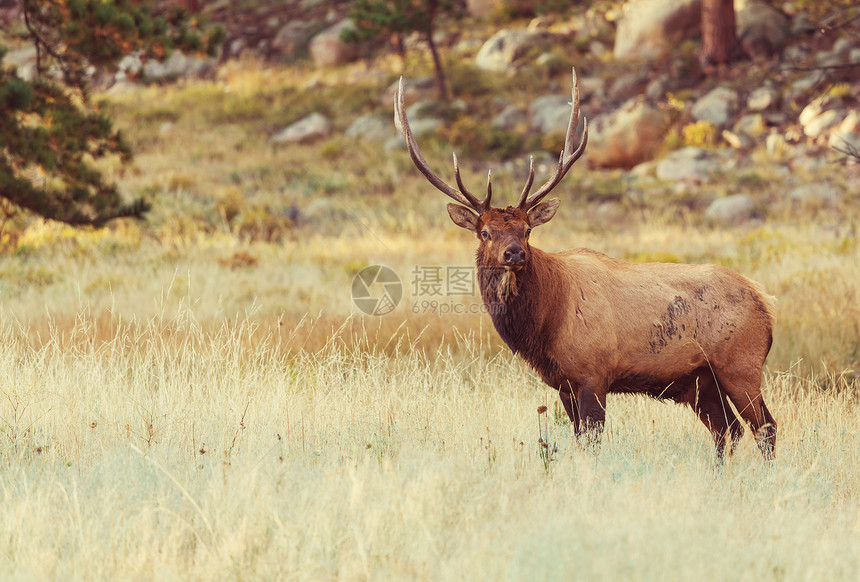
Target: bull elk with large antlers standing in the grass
[{"x": 592, "y": 325}]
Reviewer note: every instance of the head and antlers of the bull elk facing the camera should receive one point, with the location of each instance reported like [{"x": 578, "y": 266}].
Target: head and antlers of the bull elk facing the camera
[{"x": 503, "y": 233}]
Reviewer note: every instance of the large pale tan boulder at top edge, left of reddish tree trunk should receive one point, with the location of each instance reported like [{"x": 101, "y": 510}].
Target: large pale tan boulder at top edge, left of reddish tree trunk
[{"x": 649, "y": 29}]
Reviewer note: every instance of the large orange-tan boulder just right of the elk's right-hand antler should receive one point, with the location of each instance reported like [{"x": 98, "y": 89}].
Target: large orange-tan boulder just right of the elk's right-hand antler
[{"x": 627, "y": 136}]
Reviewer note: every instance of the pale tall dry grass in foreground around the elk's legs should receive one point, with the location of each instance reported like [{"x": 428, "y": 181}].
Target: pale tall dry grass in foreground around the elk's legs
[{"x": 165, "y": 450}]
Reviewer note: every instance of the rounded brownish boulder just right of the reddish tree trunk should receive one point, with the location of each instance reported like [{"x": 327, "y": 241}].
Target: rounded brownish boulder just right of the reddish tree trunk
[{"x": 763, "y": 31}]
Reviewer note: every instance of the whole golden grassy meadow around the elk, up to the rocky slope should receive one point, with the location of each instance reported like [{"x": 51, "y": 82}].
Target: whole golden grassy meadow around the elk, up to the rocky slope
[{"x": 197, "y": 398}]
